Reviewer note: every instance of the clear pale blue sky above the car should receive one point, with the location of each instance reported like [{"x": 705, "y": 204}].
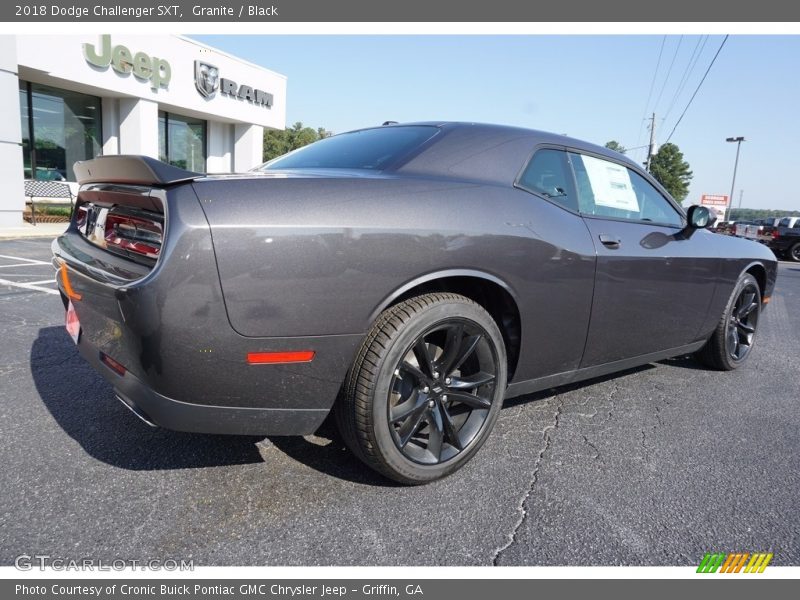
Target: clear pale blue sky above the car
[{"x": 595, "y": 88}]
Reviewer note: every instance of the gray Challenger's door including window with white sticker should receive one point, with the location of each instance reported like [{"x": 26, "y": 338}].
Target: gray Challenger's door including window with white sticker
[{"x": 654, "y": 280}]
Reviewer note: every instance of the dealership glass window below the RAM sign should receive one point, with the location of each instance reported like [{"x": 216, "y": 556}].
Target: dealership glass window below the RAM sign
[{"x": 182, "y": 141}]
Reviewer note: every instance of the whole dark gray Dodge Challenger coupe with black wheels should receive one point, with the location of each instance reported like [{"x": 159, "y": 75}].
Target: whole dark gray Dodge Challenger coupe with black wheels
[{"x": 406, "y": 277}]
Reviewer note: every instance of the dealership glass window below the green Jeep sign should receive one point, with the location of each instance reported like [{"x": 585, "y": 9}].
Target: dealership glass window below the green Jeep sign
[{"x": 59, "y": 128}]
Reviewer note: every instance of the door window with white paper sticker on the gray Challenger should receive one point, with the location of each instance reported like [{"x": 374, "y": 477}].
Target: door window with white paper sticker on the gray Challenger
[{"x": 608, "y": 189}]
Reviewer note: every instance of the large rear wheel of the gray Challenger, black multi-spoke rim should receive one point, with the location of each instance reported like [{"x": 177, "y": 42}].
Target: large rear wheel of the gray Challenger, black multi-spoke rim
[{"x": 425, "y": 389}]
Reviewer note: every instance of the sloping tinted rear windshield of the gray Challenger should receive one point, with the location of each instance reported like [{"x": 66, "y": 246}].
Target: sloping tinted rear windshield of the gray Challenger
[{"x": 367, "y": 149}]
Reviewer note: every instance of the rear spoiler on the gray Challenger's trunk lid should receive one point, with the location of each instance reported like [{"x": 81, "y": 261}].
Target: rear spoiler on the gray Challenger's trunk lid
[{"x": 130, "y": 169}]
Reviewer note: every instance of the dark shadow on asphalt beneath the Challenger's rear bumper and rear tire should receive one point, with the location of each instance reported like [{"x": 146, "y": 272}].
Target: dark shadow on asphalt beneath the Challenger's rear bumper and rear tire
[{"x": 84, "y": 406}]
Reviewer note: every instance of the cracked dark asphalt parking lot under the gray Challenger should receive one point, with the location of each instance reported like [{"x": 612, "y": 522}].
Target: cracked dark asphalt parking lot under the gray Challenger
[{"x": 655, "y": 466}]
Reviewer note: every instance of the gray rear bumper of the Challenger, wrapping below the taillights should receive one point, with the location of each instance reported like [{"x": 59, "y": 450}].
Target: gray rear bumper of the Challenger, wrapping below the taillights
[{"x": 185, "y": 367}]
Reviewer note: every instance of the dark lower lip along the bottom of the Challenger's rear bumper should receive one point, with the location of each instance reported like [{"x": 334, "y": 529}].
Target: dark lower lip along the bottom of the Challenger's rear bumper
[{"x": 158, "y": 410}]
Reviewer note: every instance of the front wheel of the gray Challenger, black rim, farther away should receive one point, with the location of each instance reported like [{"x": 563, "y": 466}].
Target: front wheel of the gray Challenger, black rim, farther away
[{"x": 733, "y": 339}]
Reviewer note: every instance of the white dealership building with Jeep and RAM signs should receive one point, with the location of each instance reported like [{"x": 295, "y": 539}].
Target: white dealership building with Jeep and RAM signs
[{"x": 73, "y": 97}]
